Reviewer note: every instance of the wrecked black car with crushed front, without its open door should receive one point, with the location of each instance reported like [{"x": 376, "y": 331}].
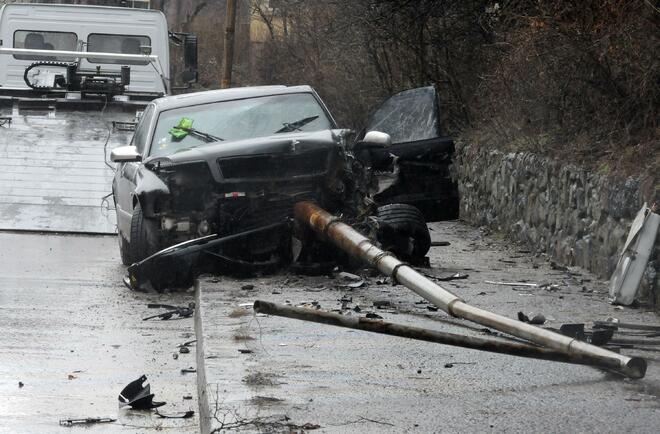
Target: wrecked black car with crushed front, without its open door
[{"x": 215, "y": 175}]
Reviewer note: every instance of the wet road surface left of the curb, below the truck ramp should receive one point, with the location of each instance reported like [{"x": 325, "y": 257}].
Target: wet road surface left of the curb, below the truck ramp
[{"x": 73, "y": 335}]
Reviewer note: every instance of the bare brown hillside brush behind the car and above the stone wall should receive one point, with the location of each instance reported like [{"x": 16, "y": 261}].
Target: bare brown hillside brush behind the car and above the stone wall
[{"x": 575, "y": 79}]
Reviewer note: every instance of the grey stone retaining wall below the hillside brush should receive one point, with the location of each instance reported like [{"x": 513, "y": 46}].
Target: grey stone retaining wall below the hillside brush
[{"x": 575, "y": 216}]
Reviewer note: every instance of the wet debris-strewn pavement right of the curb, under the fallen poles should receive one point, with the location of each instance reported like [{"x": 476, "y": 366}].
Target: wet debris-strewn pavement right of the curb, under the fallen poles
[{"x": 265, "y": 373}]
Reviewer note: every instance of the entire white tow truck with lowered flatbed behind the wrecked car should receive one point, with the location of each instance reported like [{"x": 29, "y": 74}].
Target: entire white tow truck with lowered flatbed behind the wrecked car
[{"x": 73, "y": 81}]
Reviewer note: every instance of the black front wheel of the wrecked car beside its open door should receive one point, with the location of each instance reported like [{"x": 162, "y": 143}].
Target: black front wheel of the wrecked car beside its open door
[{"x": 403, "y": 231}]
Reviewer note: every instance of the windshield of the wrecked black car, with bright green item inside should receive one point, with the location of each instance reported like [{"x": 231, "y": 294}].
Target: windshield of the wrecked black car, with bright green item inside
[{"x": 191, "y": 127}]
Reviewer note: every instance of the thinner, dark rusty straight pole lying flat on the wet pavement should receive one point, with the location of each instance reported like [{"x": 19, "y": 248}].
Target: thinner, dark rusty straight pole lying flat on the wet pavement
[{"x": 472, "y": 342}]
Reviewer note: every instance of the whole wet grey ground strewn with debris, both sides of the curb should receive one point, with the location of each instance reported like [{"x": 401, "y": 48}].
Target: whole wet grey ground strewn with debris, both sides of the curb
[{"x": 74, "y": 336}]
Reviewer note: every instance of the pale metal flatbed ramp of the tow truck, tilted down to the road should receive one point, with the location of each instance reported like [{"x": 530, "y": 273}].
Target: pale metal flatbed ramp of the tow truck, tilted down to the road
[{"x": 53, "y": 175}]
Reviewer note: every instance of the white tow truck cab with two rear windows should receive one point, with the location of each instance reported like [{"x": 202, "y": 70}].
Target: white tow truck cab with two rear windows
[{"x": 99, "y": 29}]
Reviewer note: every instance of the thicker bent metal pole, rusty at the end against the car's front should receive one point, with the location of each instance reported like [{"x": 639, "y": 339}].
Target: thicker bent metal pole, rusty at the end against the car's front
[{"x": 354, "y": 243}]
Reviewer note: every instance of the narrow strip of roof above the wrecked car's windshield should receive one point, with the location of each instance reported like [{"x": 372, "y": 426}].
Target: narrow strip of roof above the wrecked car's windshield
[{"x": 211, "y": 96}]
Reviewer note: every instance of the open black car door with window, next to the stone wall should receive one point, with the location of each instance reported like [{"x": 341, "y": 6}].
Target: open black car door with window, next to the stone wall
[{"x": 412, "y": 119}]
